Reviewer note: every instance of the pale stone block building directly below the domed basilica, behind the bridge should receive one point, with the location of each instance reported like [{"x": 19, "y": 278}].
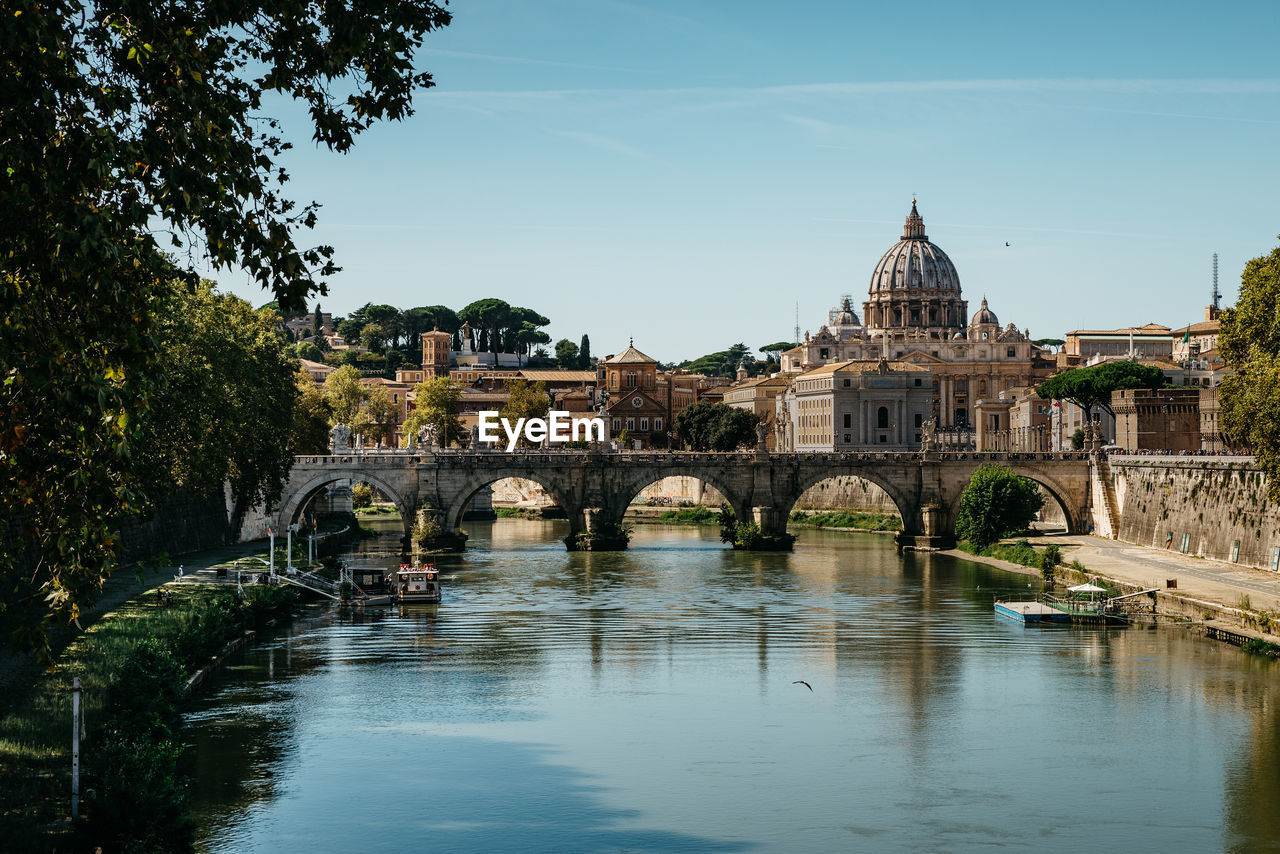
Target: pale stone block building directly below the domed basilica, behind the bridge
[{"x": 856, "y": 405}]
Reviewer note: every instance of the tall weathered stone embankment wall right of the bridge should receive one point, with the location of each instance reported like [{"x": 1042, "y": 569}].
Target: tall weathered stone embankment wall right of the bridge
[{"x": 1210, "y": 506}]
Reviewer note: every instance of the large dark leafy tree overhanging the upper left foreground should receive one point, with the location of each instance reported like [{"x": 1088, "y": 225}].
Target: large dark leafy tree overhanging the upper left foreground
[{"x": 125, "y": 125}]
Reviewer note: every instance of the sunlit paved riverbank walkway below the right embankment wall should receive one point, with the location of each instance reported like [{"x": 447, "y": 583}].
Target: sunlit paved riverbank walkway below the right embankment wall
[{"x": 1224, "y": 601}]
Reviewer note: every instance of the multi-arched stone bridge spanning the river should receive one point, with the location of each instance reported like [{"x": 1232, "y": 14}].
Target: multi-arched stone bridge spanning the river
[{"x": 595, "y": 488}]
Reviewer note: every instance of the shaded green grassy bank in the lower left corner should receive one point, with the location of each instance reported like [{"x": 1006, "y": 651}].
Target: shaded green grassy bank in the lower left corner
[{"x": 134, "y": 668}]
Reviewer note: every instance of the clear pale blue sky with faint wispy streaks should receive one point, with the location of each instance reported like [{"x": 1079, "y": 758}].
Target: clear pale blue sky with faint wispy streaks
[{"x": 688, "y": 172}]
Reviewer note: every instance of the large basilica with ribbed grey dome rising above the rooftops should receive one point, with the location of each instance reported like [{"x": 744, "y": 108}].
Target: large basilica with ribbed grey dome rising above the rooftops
[{"x": 917, "y": 318}]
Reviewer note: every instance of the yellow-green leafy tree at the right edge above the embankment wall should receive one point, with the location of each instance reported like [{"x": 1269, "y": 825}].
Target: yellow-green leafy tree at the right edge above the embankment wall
[{"x": 1250, "y": 345}]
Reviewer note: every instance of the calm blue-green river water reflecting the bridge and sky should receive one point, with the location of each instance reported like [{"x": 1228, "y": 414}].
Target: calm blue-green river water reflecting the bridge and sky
[{"x": 646, "y": 701}]
